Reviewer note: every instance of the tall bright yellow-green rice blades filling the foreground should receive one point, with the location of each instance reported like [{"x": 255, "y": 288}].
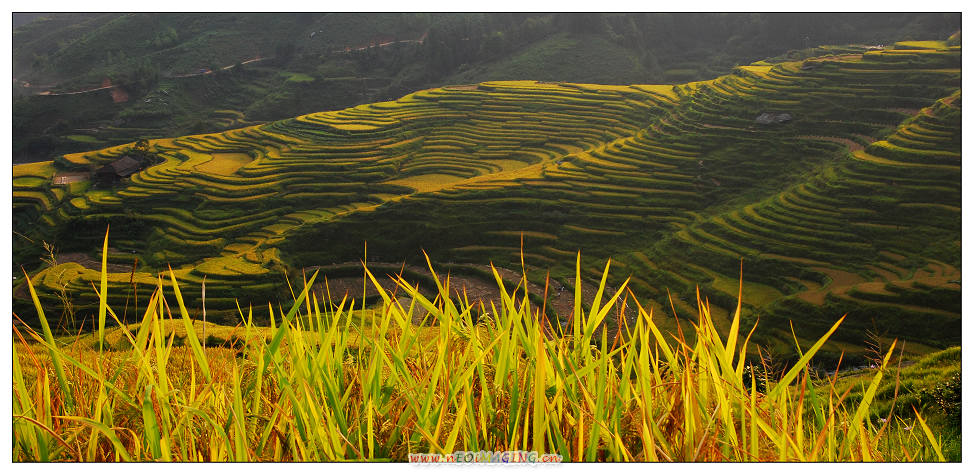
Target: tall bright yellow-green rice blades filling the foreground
[{"x": 343, "y": 384}]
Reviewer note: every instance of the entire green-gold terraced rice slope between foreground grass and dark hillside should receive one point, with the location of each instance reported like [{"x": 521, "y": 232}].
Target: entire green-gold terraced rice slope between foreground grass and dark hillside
[{"x": 853, "y": 206}]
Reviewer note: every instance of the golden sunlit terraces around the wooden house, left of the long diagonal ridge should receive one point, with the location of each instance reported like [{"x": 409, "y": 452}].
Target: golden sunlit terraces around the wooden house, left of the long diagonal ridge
[{"x": 206, "y": 213}]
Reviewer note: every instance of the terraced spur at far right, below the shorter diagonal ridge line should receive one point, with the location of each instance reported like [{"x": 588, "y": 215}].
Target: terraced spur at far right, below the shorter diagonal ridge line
[{"x": 875, "y": 234}]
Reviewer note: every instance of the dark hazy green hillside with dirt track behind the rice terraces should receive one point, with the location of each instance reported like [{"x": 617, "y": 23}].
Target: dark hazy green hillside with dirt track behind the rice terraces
[{"x": 172, "y": 74}]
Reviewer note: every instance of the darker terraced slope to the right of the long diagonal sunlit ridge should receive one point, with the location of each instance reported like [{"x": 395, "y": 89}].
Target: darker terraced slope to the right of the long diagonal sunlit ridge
[{"x": 827, "y": 228}]
